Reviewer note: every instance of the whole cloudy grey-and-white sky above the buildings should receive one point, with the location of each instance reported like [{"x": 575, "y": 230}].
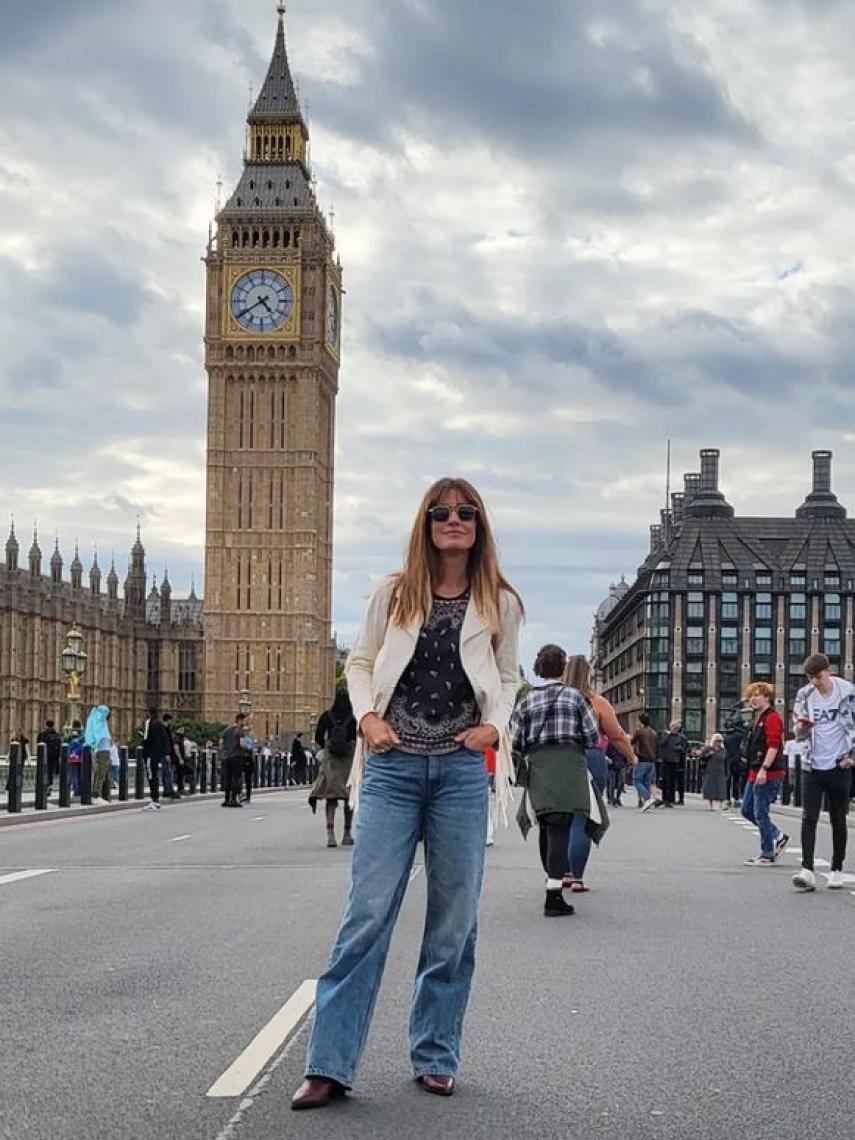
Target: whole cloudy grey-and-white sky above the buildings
[{"x": 571, "y": 230}]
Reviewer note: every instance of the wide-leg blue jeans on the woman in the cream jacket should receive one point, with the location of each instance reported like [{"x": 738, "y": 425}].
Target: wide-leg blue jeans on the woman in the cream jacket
[{"x": 403, "y": 799}]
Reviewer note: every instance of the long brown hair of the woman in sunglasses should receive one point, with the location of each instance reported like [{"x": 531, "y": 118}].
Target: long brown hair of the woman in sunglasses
[{"x": 413, "y": 585}]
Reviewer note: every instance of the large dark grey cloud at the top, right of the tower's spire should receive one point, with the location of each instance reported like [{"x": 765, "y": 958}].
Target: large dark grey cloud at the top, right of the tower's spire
[{"x": 465, "y": 69}]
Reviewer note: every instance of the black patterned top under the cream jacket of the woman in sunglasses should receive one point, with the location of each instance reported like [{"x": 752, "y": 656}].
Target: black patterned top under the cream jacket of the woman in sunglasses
[{"x": 434, "y": 702}]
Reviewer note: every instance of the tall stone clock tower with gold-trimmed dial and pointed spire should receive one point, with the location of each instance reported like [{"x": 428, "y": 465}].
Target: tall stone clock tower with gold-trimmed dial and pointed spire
[{"x": 273, "y": 336}]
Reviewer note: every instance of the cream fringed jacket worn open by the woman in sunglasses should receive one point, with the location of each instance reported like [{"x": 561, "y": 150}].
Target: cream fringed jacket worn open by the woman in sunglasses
[{"x": 382, "y": 653}]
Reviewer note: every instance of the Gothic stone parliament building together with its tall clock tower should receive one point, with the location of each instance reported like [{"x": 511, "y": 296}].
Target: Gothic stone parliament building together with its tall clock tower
[{"x": 273, "y": 337}]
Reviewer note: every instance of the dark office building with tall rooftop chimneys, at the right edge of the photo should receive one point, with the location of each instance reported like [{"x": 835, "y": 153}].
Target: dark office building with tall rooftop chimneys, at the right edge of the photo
[{"x": 723, "y": 600}]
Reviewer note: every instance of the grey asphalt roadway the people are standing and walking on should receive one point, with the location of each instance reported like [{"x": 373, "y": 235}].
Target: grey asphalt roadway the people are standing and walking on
[{"x": 689, "y": 997}]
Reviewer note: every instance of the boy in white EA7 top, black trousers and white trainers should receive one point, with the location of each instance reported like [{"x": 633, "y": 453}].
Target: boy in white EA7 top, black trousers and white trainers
[{"x": 825, "y": 719}]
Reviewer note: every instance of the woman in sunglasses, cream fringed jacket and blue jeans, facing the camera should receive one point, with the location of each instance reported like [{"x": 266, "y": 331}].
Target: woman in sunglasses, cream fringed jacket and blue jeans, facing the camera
[{"x": 434, "y": 678}]
